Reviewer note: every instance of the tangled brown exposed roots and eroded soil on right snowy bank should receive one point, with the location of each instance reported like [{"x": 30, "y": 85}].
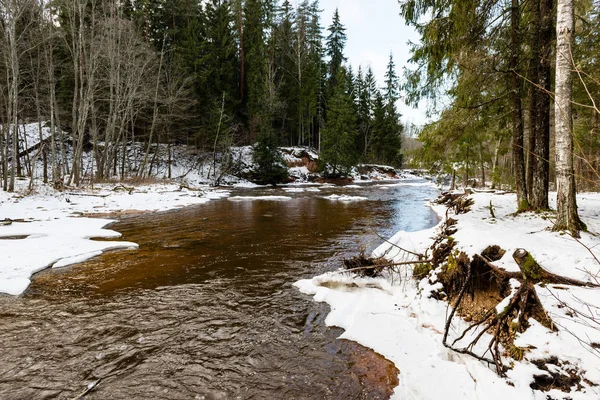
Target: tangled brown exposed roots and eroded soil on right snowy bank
[{"x": 476, "y": 288}]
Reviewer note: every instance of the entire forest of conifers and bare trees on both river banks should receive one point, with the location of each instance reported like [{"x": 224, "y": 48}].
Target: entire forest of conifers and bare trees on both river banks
[{"x": 103, "y": 75}]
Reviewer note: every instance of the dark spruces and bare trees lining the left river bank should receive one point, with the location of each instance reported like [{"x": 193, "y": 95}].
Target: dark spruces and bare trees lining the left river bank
[{"x": 101, "y": 75}]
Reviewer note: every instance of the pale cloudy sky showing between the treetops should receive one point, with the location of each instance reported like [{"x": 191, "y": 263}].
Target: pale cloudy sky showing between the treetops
[{"x": 374, "y": 28}]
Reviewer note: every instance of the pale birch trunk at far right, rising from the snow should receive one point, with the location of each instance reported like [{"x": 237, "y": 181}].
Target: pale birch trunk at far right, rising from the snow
[{"x": 566, "y": 214}]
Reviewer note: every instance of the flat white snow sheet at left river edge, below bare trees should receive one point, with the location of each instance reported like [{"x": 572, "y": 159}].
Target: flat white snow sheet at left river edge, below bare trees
[{"x": 48, "y": 228}]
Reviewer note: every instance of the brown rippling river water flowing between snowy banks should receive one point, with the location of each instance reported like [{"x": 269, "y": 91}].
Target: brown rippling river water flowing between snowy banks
[{"x": 205, "y": 308}]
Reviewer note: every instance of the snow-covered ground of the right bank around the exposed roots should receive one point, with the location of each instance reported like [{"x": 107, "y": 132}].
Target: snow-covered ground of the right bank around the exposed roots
[{"x": 399, "y": 320}]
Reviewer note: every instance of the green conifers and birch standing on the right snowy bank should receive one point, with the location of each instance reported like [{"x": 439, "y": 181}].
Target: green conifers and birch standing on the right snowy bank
[{"x": 517, "y": 102}]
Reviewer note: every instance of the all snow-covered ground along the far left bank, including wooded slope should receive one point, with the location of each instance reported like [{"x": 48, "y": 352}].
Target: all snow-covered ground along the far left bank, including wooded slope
[{"x": 49, "y": 228}]
